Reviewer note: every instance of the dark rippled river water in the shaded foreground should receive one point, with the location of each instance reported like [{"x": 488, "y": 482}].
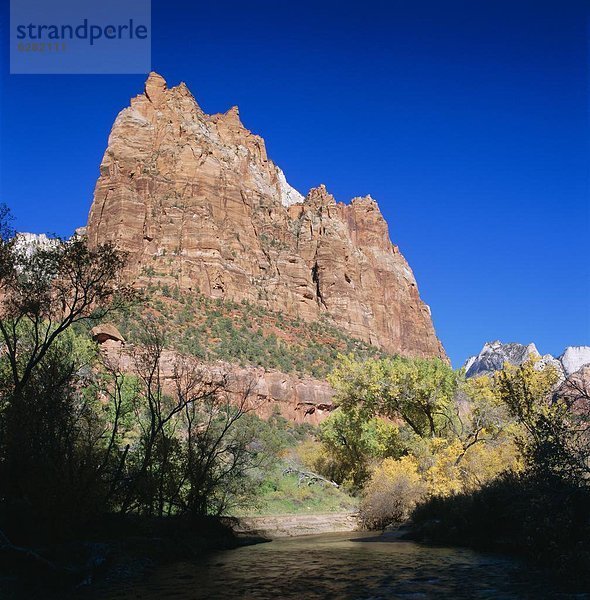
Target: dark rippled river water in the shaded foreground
[{"x": 347, "y": 566}]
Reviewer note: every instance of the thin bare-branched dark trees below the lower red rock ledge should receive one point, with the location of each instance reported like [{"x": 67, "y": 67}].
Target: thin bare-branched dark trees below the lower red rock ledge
[{"x": 190, "y": 454}]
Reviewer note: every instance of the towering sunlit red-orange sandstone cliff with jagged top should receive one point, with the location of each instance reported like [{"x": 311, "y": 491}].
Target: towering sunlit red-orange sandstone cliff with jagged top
[{"x": 196, "y": 202}]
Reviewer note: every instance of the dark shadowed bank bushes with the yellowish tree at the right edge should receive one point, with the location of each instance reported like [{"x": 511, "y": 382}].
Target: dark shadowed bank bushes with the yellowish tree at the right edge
[{"x": 541, "y": 509}]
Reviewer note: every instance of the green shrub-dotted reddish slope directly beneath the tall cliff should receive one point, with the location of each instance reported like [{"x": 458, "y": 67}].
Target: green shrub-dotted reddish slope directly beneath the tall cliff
[{"x": 243, "y": 333}]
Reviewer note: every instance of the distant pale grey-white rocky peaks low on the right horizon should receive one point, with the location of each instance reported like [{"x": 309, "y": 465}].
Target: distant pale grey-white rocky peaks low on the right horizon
[{"x": 494, "y": 355}]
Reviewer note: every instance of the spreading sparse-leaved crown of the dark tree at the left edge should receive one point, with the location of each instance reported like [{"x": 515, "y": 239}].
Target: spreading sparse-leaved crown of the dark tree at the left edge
[{"x": 46, "y": 290}]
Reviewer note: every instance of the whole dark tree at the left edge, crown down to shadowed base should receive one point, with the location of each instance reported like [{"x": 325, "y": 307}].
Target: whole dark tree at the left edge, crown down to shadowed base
[{"x": 48, "y": 430}]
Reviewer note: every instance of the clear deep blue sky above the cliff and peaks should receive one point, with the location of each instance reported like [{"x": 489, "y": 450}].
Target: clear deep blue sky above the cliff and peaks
[{"x": 467, "y": 121}]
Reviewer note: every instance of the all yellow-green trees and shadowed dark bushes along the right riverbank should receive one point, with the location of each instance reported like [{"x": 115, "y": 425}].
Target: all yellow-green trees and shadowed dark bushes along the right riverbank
[{"x": 499, "y": 462}]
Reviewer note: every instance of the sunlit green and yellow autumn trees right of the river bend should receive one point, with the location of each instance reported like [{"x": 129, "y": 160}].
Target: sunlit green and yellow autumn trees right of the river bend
[{"x": 455, "y": 432}]
